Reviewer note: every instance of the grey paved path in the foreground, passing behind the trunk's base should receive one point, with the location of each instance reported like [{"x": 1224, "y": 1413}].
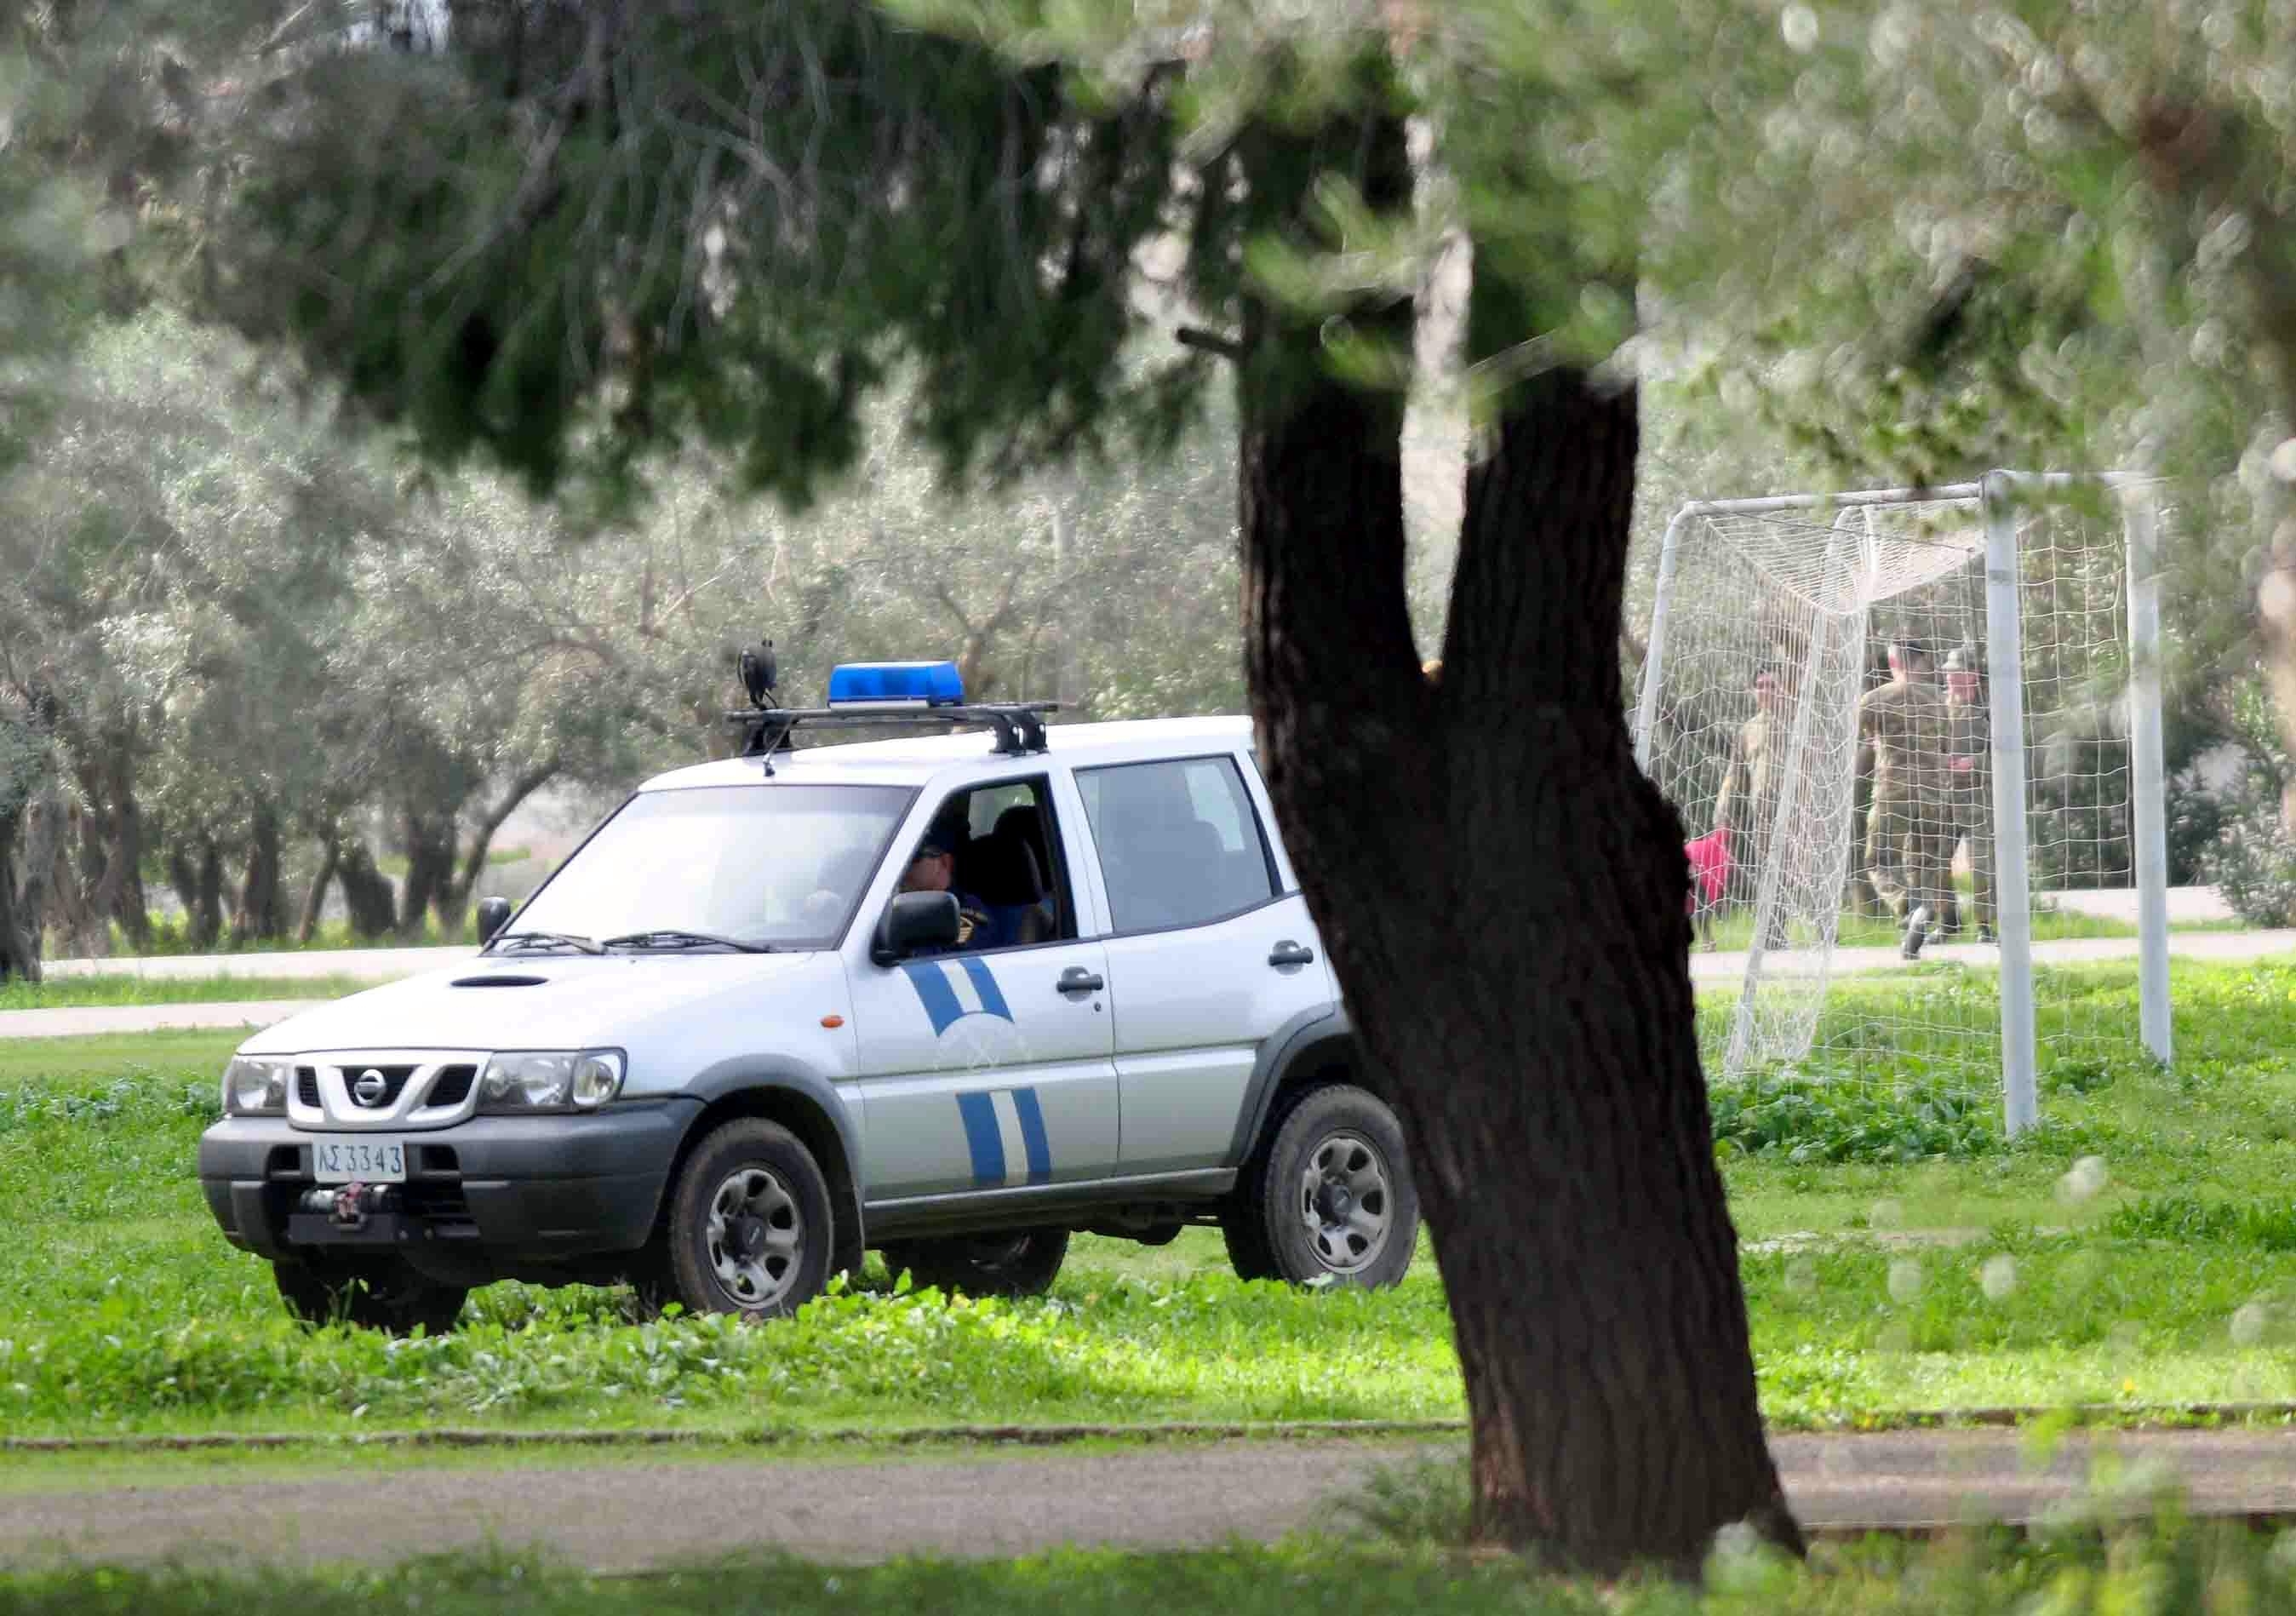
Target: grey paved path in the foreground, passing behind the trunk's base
[{"x": 1011, "y": 1505}]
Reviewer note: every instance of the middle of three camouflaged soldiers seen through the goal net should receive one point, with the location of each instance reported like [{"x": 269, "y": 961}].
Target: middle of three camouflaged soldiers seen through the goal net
[{"x": 1902, "y": 729}]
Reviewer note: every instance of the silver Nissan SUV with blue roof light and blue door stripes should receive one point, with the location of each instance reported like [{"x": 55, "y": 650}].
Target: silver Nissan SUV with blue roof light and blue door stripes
[{"x": 952, "y": 997}]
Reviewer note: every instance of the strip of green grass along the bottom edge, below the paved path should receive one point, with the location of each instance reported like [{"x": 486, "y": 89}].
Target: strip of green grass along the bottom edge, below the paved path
[{"x": 2171, "y": 1569}]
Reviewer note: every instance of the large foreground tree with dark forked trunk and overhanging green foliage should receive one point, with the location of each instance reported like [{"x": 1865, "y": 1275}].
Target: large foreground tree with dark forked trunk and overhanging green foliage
[{"x": 577, "y": 238}]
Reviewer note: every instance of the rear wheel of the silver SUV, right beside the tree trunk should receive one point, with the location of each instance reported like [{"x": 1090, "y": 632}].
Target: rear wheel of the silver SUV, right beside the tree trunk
[{"x": 1331, "y": 1197}]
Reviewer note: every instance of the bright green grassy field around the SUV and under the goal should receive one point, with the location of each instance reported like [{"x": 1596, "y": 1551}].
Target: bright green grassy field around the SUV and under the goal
[{"x": 2139, "y": 1250}]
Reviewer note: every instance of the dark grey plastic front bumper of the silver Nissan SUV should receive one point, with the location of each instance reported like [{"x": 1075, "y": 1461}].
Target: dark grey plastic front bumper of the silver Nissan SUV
[{"x": 492, "y": 1192}]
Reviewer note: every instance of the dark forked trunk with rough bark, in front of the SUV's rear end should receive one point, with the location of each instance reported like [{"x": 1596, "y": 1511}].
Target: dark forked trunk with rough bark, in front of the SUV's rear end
[{"x": 1503, "y": 896}]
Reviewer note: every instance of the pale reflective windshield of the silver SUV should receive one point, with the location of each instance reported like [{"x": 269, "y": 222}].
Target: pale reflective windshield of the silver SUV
[{"x": 761, "y": 864}]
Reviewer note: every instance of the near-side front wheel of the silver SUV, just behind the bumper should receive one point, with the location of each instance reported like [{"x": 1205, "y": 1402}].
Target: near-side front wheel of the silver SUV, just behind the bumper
[{"x": 750, "y": 1225}]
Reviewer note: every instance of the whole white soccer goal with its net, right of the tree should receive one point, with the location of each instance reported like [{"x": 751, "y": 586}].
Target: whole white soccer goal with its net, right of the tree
[{"x": 2010, "y": 800}]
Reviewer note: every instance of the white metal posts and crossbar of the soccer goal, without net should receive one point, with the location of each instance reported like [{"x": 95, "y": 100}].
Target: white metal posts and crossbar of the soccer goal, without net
[{"x": 1996, "y": 499}]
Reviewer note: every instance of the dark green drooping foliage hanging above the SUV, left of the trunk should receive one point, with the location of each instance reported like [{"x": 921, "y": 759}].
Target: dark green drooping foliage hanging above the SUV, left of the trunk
[{"x": 506, "y": 300}]
